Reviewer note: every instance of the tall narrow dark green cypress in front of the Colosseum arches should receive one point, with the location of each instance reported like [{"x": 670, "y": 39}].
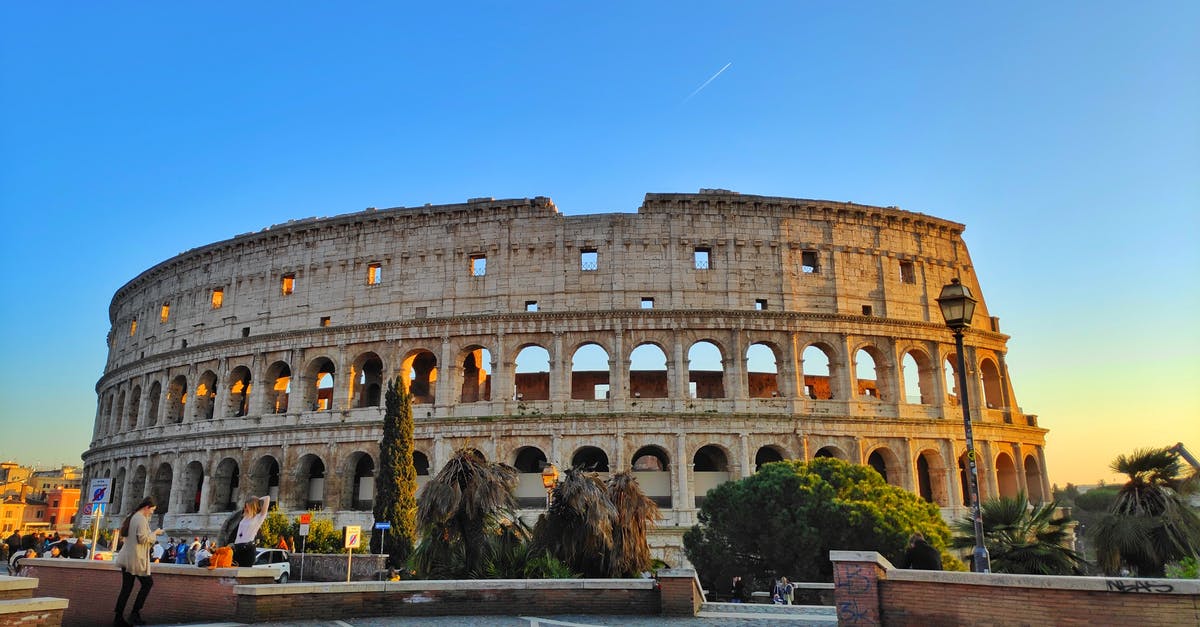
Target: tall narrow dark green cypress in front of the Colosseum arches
[{"x": 397, "y": 483}]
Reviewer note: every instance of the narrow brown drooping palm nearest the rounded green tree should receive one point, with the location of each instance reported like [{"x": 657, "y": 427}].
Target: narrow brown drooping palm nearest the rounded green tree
[{"x": 635, "y": 515}]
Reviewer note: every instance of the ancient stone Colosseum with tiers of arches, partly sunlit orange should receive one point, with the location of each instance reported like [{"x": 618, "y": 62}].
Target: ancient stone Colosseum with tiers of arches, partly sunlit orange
[{"x": 692, "y": 342}]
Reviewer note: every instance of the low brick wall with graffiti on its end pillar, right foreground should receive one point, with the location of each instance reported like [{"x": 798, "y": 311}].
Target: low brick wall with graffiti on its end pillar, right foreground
[{"x": 937, "y": 599}]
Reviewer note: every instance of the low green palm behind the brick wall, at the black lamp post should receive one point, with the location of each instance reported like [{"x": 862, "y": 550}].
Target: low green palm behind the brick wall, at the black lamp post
[{"x": 1023, "y": 540}]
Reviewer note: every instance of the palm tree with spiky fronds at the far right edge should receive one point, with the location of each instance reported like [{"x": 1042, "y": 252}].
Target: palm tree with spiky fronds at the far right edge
[{"x": 1149, "y": 524}]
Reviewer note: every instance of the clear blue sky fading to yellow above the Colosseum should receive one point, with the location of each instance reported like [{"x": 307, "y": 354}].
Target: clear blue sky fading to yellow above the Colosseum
[{"x": 1065, "y": 135}]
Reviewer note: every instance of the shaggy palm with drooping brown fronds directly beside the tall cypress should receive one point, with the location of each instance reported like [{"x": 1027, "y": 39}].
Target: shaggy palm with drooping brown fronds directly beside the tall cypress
[{"x": 469, "y": 500}]
